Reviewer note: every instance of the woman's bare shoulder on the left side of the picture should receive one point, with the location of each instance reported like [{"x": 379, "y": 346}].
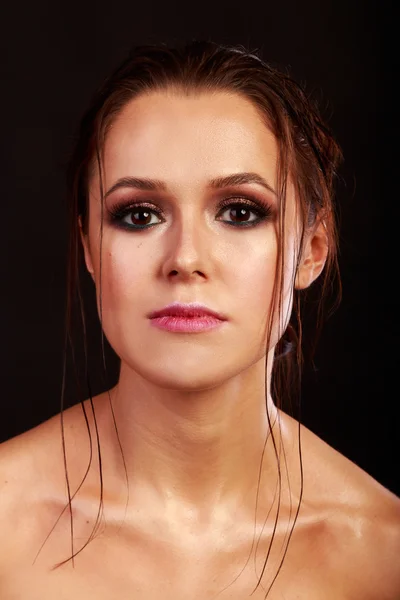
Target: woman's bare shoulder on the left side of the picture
[{"x": 32, "y": 484}]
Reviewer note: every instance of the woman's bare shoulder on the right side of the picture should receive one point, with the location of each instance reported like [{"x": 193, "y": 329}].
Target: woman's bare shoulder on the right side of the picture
[{"x": 364, "y": 520}]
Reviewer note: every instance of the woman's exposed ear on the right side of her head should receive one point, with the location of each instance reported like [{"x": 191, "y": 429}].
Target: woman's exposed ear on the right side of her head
[{"x": 313, "y": 257}]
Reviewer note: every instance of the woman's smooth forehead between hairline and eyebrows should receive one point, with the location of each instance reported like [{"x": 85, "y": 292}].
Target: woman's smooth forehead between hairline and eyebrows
[{"x": 189, "y": 139}]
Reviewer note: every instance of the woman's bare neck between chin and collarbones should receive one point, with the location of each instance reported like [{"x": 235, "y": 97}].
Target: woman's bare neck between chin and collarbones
[{"x": 199, "y": 448}]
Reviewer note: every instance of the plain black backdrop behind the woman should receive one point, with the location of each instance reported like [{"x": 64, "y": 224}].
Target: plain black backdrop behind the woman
[{"x": 54, "y": 54}]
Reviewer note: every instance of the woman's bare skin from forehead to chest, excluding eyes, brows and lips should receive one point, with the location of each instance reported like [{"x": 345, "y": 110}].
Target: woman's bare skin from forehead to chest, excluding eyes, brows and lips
[{"x": 190, "y": 408}]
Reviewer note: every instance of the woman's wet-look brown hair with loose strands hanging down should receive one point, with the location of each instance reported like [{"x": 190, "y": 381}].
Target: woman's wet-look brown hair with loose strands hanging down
[{"x": 306, "y": 151}]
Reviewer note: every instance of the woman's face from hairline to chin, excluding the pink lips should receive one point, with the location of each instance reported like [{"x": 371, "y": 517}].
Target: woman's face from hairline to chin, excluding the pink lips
[{"x": 183, "y": 246}]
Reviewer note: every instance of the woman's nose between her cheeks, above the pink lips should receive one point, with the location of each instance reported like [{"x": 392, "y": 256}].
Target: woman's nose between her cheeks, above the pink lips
[{"x": 187, "y": 249}]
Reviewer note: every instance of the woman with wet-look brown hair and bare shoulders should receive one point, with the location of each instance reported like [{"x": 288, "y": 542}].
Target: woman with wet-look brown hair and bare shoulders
[{"x": 201, "y": 194}]
